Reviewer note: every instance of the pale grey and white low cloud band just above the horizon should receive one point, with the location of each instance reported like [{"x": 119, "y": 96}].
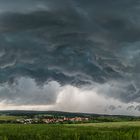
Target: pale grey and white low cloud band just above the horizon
[{"x": 24, "y": 93}]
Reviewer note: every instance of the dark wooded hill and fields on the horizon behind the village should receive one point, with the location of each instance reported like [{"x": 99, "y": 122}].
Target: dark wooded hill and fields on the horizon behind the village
[{"x": 10, "y": 116}]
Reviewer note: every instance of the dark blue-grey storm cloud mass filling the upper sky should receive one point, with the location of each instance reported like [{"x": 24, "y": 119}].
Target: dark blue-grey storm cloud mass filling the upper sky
[{"x": 73, "y": 42}]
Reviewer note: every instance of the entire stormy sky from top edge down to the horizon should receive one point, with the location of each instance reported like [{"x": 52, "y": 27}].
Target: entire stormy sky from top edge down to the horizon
[{"x": 70, "y": 55}]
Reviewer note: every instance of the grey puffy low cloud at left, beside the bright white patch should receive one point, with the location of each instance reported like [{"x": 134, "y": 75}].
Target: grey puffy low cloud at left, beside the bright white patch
[{"x": 26, "y": 92}]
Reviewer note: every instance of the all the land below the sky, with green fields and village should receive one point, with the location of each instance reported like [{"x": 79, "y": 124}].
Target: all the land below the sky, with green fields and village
[{"x": 34, "y": 125}]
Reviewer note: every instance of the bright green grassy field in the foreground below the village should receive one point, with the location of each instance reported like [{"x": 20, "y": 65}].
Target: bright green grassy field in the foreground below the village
[{"x": 98, "y": 131}]
